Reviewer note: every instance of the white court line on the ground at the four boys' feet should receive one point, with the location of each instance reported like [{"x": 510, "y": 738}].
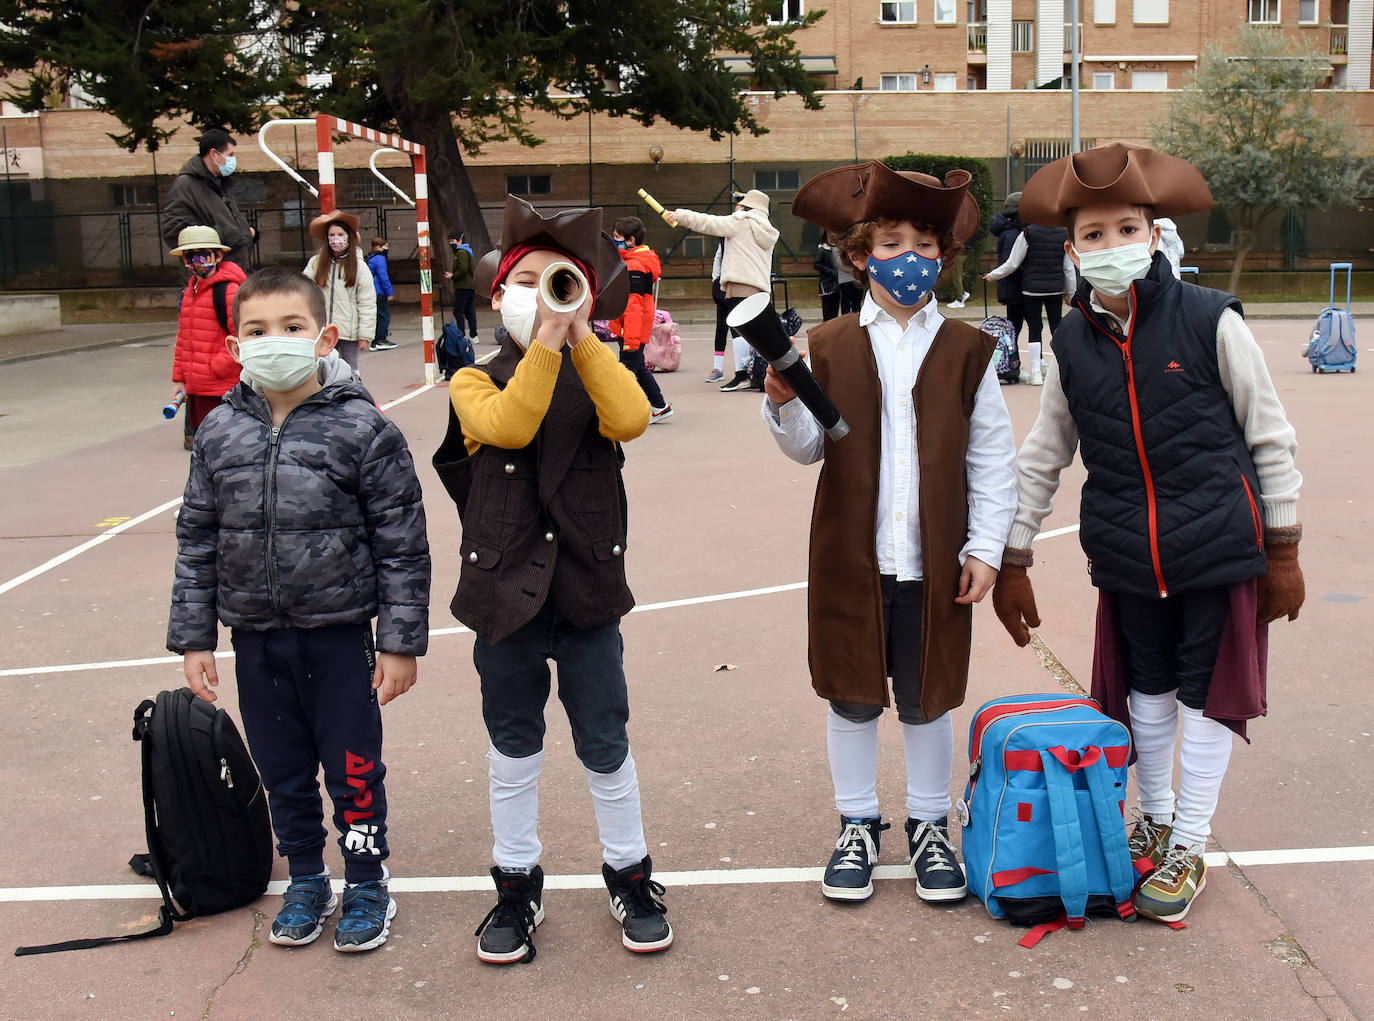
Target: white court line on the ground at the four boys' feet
[{"x": 701, "y": 877}]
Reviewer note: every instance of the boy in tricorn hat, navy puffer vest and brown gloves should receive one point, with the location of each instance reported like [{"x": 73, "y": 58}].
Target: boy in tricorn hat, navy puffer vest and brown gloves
[{"x": 1189, "y": 515}]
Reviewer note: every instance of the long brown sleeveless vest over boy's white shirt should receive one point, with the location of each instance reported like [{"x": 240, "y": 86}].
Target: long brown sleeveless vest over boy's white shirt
[{"x": 847, "y": 649}]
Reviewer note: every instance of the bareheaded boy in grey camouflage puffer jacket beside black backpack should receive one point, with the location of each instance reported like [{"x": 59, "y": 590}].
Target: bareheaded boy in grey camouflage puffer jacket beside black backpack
[{"x": 302, "y": 523}]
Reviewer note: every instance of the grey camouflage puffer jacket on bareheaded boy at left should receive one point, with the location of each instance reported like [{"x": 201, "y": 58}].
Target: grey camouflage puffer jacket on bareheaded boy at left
[{"x": 314, "y": 524}]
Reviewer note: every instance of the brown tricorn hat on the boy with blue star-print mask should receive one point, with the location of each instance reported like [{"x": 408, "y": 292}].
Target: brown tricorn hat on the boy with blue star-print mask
[{"x": 837, "y": 200}]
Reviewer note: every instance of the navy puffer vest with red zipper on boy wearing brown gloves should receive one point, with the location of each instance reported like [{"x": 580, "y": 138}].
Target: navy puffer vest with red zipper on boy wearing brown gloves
[{"x": 1171, "y": 502}]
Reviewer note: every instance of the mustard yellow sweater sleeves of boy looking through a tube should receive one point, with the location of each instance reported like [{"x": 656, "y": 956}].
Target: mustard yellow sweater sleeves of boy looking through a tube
[{"x": 510, "y": 418}]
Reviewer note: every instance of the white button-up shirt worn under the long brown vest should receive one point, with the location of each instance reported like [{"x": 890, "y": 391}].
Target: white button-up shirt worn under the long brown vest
[{"x": 993, "y": 494}]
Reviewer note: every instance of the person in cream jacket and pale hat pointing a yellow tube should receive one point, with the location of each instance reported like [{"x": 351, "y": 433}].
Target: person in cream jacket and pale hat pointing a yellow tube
[{"x": 745, "y": 265}]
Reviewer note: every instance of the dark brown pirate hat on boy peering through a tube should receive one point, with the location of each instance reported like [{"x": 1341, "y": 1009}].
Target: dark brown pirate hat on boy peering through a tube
[{"x": 576, "y": 232}]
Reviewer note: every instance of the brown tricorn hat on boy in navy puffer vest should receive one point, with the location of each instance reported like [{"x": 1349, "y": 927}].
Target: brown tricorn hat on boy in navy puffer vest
[{"x": 1120, "y": 172}]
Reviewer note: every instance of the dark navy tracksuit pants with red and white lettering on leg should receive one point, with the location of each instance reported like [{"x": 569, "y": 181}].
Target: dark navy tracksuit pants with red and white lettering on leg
[{"x": 307, "y": 700}]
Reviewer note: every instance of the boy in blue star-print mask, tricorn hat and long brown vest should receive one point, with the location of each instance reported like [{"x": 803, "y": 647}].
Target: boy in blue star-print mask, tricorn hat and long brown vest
[{"x": 912, "y": 508}]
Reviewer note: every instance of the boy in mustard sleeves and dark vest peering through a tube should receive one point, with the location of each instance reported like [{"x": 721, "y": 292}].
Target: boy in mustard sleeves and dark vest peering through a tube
[{"x": 535, "y": 472}]
